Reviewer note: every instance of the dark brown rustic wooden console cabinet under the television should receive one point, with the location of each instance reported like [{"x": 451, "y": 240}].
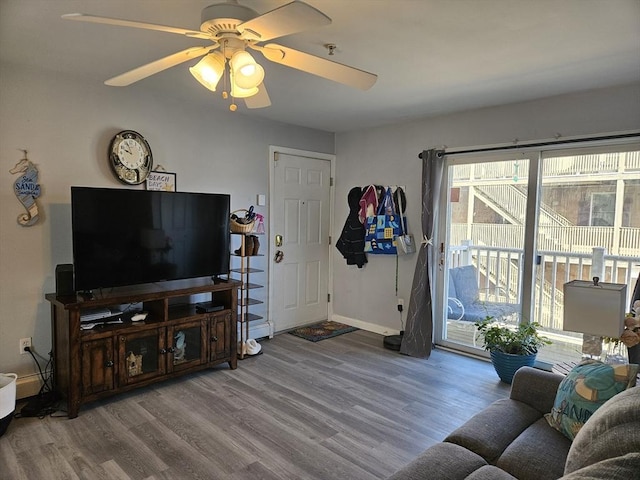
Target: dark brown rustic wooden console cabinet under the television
[{"x": 172, "y": 340}]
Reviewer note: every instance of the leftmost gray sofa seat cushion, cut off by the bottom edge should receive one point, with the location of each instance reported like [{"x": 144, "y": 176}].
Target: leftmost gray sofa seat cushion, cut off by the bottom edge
[{"x": 443, "y": 461}]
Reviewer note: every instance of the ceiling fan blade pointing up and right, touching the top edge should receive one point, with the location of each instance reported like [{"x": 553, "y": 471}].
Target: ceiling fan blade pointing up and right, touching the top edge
[{"x": 290, "y": 18}]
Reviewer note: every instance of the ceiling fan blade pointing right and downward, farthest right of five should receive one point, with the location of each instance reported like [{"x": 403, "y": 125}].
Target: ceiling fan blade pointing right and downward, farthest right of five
[{"x": 322, "y": 67}]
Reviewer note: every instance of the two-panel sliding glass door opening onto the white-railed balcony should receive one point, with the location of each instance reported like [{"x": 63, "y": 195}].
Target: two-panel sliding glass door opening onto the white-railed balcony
[{"x": 518, "y": 225}]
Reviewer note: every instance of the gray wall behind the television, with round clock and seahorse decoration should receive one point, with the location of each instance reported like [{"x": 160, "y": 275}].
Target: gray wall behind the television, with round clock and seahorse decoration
[{"x": 66, "y": 125}]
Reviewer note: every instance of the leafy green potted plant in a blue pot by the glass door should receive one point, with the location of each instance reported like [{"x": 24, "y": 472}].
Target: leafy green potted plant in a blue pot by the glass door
[{"x": 510, "y": 347}]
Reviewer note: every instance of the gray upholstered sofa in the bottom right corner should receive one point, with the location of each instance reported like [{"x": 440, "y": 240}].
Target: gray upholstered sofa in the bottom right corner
[{"x": 511, "y": 439}]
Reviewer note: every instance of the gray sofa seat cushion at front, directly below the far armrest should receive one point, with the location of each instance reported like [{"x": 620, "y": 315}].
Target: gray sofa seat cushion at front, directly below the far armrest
[{"x": 490, "y": 432}]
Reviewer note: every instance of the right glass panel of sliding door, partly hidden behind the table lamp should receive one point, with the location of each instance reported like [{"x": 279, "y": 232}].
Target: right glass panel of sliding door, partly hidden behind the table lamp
[{"x": 589, "y": 226}]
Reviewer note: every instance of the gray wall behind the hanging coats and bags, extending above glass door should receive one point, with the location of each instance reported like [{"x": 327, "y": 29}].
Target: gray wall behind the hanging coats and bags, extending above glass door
[{"x": 389, "y": 156}]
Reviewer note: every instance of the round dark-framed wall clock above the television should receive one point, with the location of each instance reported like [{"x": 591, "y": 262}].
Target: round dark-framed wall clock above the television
[{"x": 130, "y": 157}]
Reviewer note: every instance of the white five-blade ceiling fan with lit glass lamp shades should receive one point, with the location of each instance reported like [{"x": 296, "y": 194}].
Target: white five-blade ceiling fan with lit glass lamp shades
[{"x": 232, "y": 29}]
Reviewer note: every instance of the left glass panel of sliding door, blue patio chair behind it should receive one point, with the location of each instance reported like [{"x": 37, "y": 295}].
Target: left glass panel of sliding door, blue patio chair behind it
[{"x": 482, "y": 254}]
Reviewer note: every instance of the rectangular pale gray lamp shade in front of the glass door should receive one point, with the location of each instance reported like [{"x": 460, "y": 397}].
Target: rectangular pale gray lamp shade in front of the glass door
[{"x": 595, "y": 309}]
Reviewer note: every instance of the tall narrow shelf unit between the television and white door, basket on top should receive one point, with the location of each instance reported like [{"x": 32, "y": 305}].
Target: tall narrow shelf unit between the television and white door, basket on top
[{"x": 248, "y": 270}]
